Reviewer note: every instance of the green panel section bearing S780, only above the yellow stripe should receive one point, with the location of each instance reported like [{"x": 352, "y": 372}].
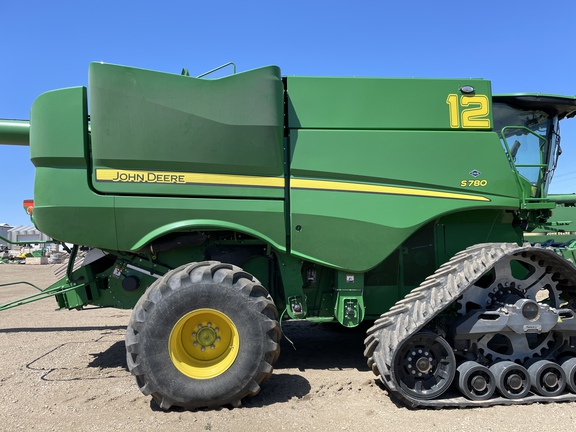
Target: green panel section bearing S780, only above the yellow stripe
[{"x": 443, "y": 160}]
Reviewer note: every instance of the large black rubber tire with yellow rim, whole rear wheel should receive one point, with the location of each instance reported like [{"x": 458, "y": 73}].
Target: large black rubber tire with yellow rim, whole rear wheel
[{"x": 193, "y": 303}]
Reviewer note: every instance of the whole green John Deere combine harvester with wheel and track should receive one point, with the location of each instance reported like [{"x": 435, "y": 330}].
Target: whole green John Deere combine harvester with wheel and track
[{"x": 217, "y": 208}]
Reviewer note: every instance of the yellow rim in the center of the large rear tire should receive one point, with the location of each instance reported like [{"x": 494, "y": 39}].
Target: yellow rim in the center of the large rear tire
[{"x": 203, "y": 344}]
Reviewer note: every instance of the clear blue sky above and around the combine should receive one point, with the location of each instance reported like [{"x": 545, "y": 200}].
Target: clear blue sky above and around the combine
[{"x": 521, "y": 46}]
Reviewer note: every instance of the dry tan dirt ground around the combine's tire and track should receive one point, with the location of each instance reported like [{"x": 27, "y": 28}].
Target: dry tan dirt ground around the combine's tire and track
[{"x": 66, "y": 370}]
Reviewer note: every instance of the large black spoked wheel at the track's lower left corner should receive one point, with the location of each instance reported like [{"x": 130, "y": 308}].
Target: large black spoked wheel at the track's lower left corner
[{"x": 424, "y": 366}]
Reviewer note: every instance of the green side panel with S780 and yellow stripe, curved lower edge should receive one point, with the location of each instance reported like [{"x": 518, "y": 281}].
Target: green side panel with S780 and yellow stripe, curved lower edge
[{"x": 367, "y": 191}]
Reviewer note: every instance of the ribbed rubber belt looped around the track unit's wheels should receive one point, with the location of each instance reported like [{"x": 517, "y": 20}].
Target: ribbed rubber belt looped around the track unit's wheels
[{"x": 437, "y": 292}]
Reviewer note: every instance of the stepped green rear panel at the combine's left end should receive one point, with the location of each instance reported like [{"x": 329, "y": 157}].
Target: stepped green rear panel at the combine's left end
[{"x": 66, "y": 208}]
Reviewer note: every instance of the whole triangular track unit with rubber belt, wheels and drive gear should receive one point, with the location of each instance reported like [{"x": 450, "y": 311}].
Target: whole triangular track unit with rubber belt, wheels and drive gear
[{"x": 494, "y": 325}]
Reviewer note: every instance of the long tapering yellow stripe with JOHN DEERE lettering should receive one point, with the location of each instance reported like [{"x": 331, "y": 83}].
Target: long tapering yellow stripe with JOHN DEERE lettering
[{"x": 163, "y": 177}]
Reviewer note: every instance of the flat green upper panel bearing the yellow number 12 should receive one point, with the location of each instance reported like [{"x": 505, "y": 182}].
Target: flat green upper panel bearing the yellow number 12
[{"x": 388, "y": 103}]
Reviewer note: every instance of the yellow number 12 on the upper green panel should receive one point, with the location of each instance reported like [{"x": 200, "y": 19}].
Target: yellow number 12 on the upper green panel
[{"x": 469, "y": 112}]
